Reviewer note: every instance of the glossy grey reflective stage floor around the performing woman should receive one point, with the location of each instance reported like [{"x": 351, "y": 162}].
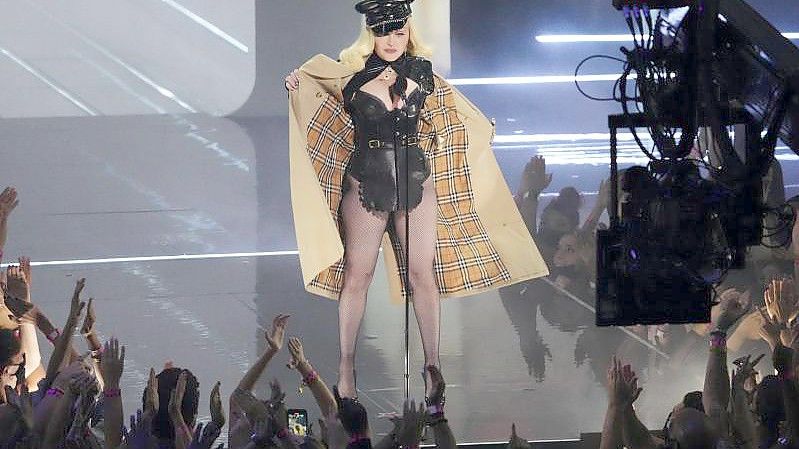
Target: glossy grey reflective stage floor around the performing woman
[{"x": 147, "y": 186}]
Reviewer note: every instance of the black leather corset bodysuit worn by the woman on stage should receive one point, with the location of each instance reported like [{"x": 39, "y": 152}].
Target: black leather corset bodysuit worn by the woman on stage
[{"x": 384, "y": 140}]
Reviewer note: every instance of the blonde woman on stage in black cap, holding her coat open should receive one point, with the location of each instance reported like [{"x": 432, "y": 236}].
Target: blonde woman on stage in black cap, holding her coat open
[{"x": 380, "y": 143}]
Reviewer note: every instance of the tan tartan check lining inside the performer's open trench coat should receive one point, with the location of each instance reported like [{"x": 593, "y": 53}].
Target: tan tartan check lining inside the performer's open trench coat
[{"x": 465, "y": 258}]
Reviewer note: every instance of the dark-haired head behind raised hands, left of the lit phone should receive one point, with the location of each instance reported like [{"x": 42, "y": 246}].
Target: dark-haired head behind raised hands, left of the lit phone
[{"x": 167, "y": 381}]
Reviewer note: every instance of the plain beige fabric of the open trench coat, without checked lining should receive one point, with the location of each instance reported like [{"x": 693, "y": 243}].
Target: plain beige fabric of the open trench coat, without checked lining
[{"x": 318, "y": 238}]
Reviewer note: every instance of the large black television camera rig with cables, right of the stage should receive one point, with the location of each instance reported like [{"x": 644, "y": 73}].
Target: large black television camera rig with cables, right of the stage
[{"x": 708, "y": 71}]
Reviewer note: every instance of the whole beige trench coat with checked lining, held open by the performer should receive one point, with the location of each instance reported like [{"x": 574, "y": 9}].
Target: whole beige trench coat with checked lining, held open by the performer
[{"x": 482, "y": 242}]
